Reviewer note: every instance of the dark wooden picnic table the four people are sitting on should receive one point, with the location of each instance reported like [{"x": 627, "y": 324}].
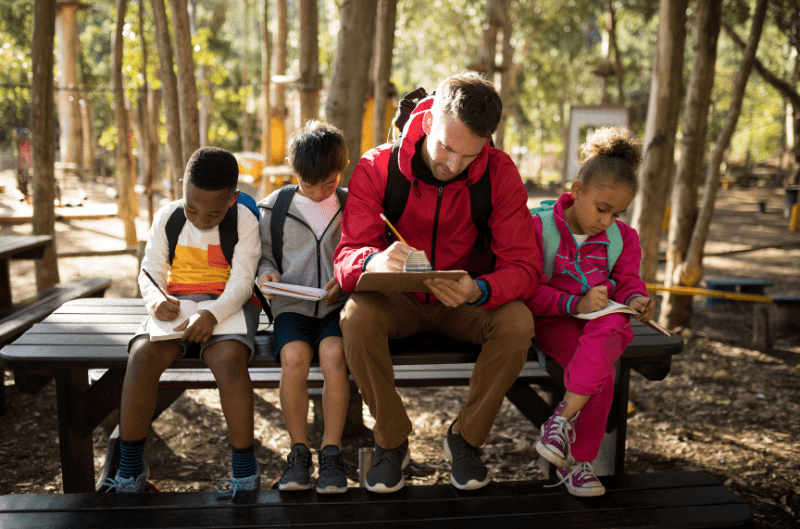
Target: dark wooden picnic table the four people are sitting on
[{"x": 93, "y": 333}]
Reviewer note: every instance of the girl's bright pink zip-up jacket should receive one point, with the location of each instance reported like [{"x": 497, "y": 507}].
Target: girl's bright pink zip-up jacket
[{"x": 576, "y": 270}]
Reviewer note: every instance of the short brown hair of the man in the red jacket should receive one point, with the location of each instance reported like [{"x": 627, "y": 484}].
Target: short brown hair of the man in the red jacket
[{"x": 471, "y": 98}]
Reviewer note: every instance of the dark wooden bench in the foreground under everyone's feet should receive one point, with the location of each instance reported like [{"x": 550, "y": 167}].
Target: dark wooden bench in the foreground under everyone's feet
[{"x": 664, "y": 500}]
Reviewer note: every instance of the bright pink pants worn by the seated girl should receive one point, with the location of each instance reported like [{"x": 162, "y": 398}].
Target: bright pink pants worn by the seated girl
[{"x": 587, "y": 350}]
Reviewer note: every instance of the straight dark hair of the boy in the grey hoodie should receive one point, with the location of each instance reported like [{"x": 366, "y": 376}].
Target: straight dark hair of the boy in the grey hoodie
[{"x": 317, "y": 151}]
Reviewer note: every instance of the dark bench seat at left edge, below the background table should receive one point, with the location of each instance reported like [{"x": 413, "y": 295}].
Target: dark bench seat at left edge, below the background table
[{"x": 36, "y": 308}]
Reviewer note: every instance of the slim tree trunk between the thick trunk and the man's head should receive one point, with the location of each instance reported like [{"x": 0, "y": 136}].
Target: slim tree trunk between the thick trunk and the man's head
[{"x": 386, "y": 22}]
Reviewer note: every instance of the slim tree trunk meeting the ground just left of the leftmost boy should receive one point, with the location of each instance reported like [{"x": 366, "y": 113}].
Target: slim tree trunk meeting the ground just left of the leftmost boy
[{"x": 128, "y": 201}]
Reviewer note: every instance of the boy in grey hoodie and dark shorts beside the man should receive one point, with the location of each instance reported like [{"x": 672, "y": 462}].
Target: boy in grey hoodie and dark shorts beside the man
[{"x": 305, "y": 330}]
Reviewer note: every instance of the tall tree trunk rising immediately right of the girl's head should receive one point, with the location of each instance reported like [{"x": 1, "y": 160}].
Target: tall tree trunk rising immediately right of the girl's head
[{"x": 659, "y": 142}]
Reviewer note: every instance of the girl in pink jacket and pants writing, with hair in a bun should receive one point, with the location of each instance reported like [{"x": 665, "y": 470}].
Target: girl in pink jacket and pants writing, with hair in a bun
[{"x": 581, "y": 282}]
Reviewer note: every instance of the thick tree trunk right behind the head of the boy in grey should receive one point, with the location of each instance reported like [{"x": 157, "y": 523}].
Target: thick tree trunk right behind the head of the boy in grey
[{"x": 345, "y": 104}]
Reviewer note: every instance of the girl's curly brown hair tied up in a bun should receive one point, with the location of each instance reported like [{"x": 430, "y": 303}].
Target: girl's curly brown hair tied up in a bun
[{"x": 611, "y": 151}]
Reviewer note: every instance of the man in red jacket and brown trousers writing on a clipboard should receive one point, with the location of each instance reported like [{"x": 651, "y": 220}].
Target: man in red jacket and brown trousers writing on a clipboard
[{"x": 444, "y": 150}]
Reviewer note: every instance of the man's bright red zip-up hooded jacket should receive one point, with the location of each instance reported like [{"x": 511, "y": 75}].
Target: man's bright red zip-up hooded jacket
[{"x": 441, "y": 226}]
